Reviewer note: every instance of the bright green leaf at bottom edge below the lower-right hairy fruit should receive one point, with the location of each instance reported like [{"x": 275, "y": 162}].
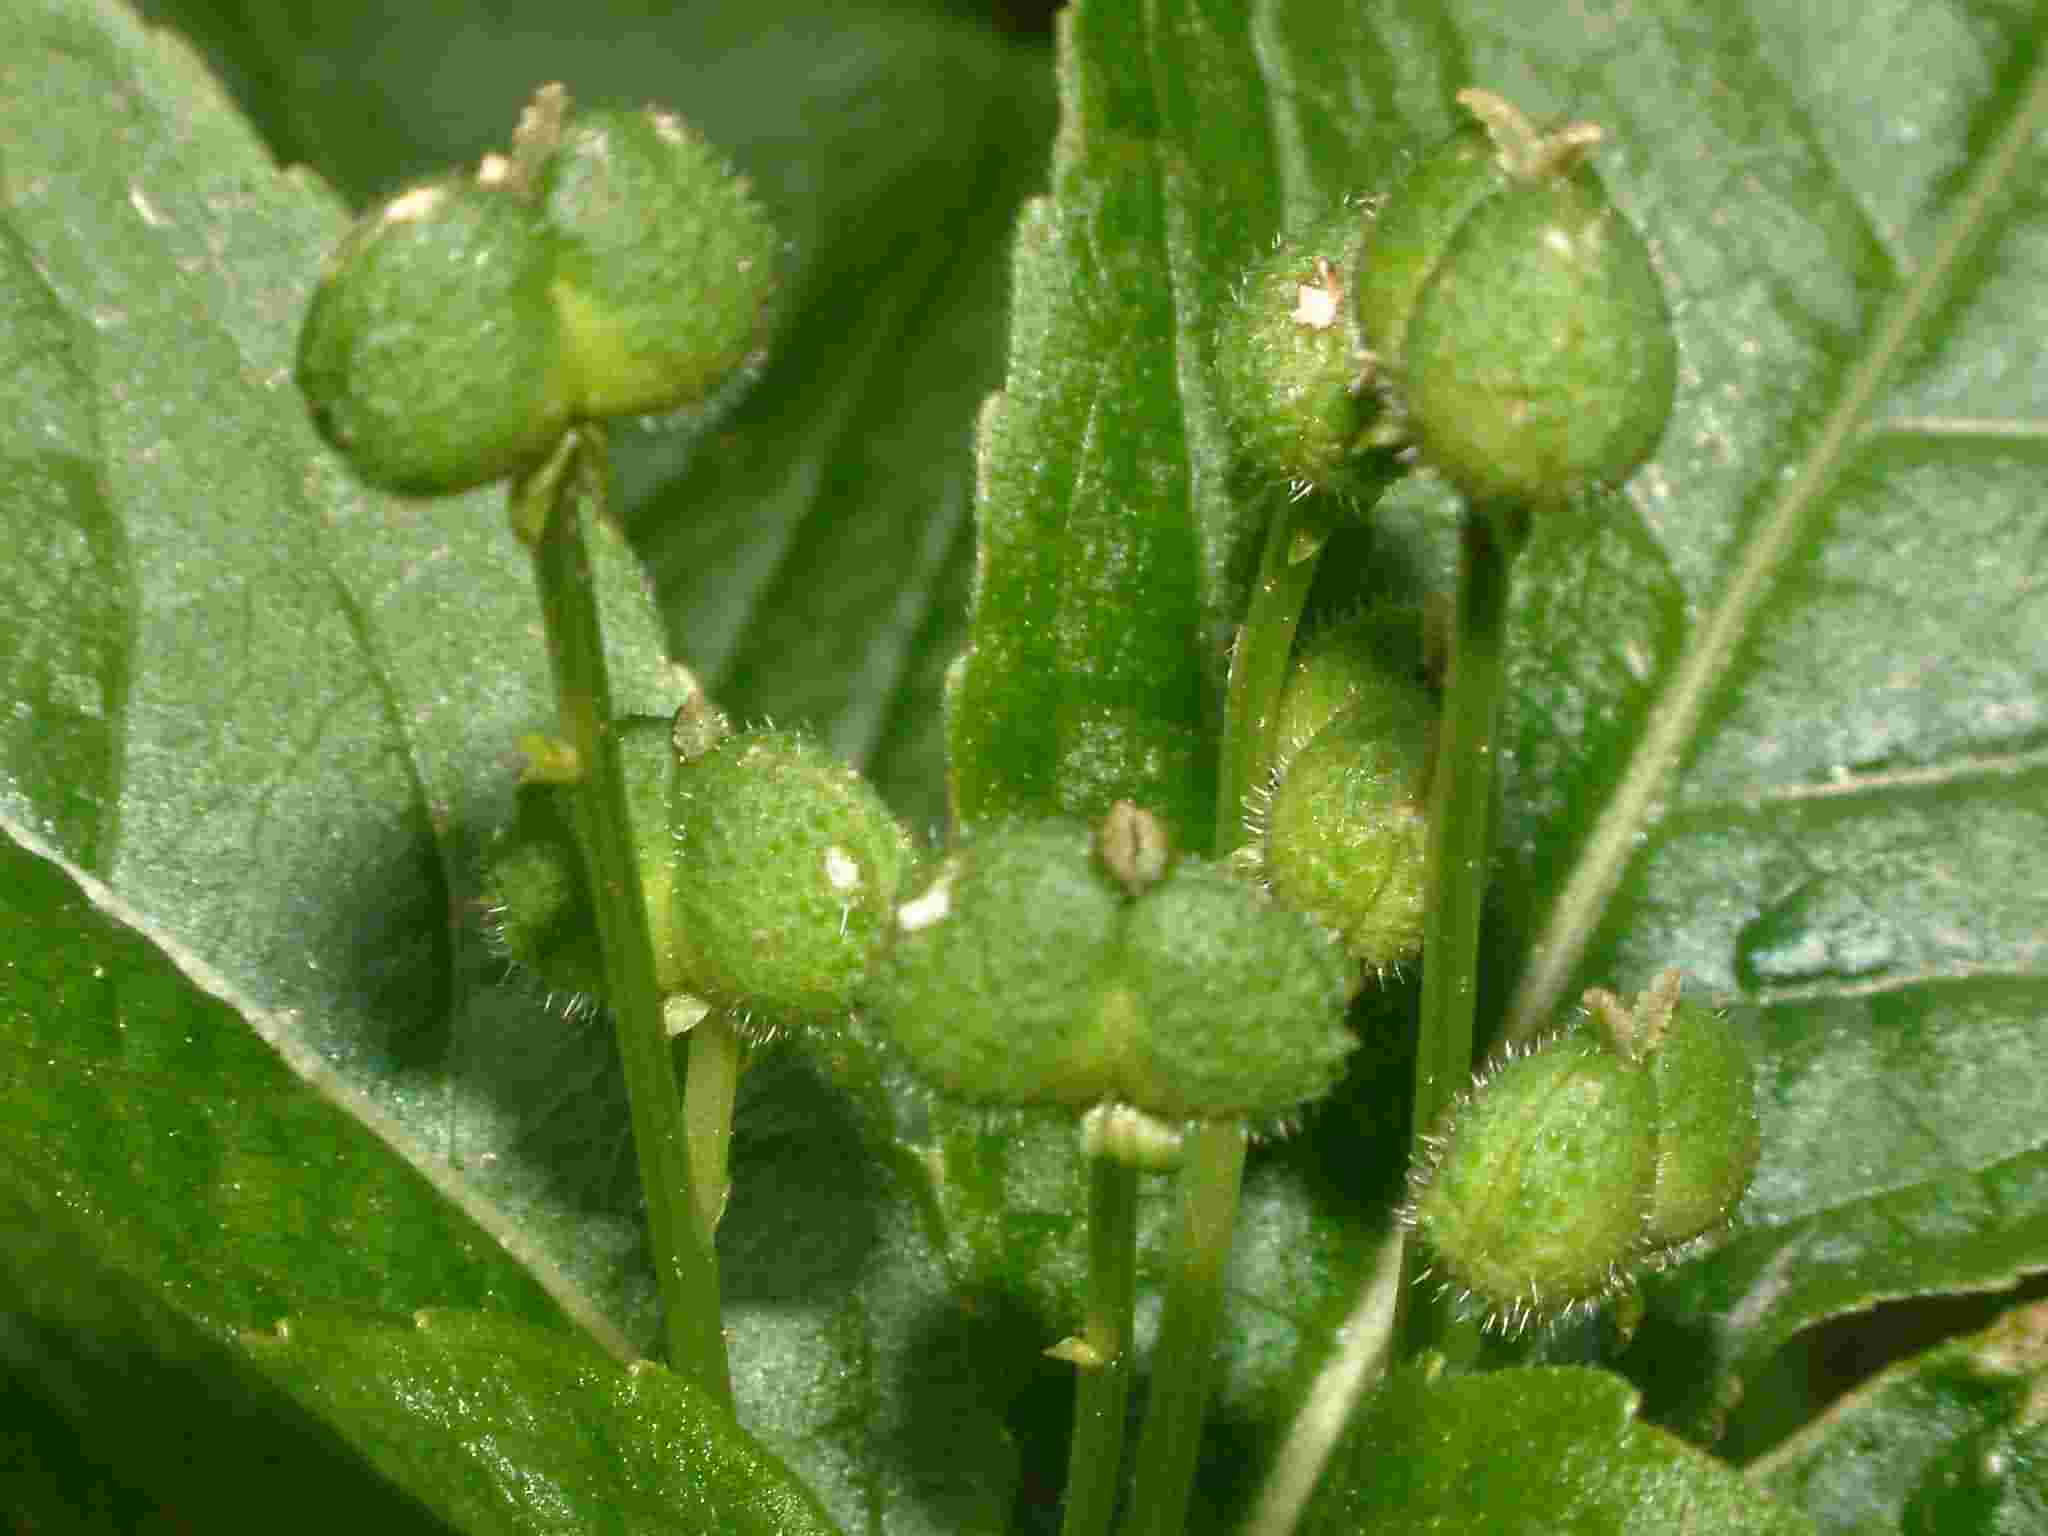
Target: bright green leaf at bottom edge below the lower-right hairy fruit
[{"x": 1527, "y": 1451}]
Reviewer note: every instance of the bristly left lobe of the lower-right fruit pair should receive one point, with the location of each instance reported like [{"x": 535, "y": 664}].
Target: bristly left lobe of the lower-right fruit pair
[{"x": 1535, "y": 1199}]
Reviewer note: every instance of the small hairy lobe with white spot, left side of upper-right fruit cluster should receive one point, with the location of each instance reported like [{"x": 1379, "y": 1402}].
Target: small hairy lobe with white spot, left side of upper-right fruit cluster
[{"x": 1291, "y": 361}]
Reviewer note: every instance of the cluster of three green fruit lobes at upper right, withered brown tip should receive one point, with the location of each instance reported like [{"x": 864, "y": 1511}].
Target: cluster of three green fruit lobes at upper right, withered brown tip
[{"x": 1494, "y": 310}]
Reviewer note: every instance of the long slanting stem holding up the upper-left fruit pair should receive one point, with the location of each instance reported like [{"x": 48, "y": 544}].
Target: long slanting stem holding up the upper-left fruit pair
[{"x": 548, "y": 513}]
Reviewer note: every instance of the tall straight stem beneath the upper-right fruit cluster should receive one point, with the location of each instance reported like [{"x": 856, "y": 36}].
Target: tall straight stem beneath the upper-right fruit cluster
[{"x": 1461, "y": 833}]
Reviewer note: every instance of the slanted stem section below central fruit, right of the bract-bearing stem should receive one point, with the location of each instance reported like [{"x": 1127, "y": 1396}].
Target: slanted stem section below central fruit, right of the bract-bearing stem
[{"x": 1189, "y": 1330}]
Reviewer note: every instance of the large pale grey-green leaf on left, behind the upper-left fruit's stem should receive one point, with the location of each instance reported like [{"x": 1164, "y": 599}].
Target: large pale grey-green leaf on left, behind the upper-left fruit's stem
[{"x": 308, "y": 695}]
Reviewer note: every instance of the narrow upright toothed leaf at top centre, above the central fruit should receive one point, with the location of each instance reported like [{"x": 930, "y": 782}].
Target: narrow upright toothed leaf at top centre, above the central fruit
[{"x": 1113, "y": 554}]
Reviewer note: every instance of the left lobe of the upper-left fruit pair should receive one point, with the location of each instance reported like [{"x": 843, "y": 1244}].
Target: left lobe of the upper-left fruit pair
[{"x": 431, "y": 355}]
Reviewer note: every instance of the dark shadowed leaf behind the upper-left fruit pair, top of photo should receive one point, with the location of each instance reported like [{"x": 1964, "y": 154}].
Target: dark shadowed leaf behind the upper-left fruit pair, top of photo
[{"x": 812, "y": 552}]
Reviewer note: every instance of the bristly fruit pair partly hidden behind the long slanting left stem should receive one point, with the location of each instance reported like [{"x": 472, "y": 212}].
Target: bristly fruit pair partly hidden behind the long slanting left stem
[{"x": 769, "y": 867}]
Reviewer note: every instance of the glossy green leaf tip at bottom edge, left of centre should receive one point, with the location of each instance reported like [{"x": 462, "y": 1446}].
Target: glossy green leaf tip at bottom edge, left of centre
[{"x": 495, "y": 1426}]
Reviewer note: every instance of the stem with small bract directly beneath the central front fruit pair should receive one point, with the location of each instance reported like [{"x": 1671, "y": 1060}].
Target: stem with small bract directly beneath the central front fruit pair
[{"x": 1105, "y": 1381}]
